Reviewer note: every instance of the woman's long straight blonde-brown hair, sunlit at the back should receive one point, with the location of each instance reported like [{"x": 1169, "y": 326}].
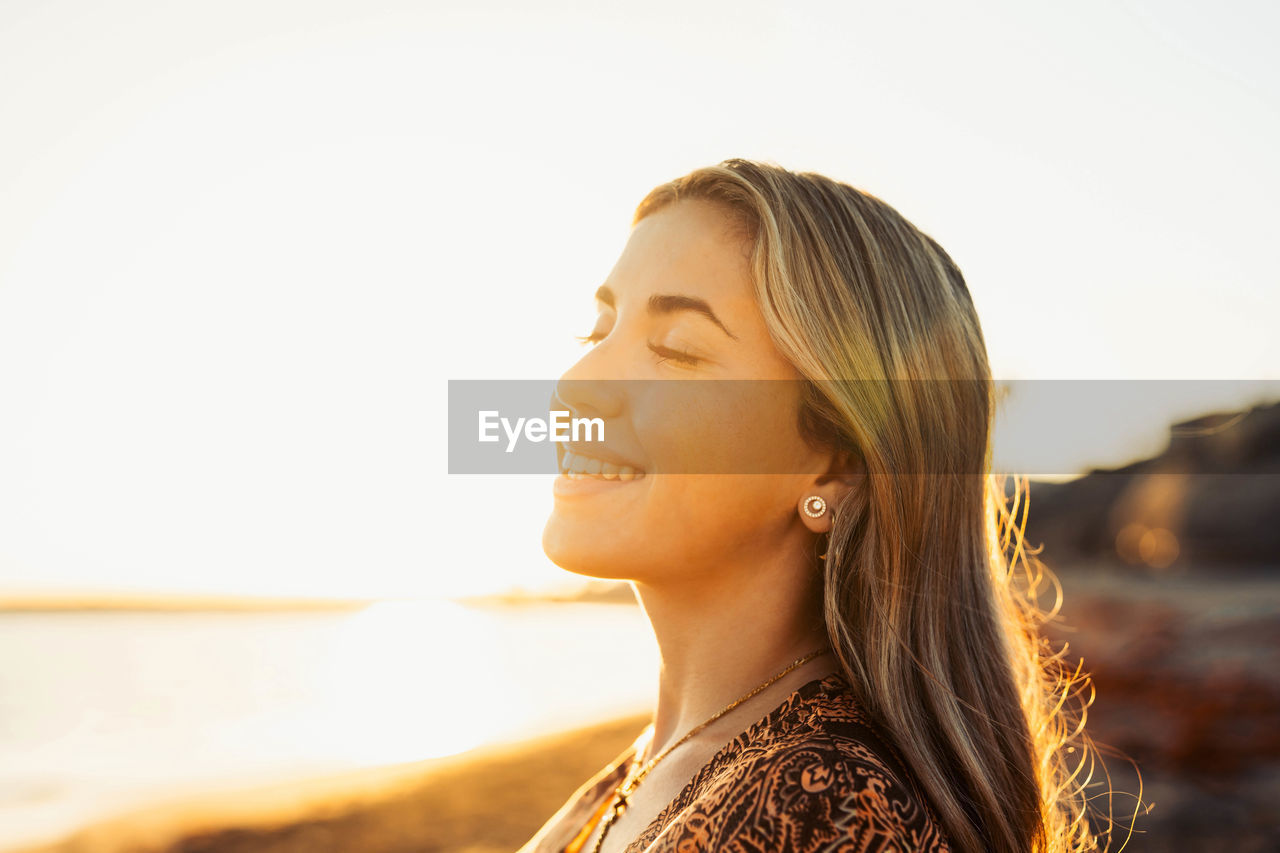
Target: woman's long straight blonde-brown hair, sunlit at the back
[{"x": 930, "y": 596}]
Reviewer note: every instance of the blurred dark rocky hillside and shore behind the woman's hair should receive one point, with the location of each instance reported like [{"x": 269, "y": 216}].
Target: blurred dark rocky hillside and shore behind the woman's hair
[{"x": 1171, "y": 571}]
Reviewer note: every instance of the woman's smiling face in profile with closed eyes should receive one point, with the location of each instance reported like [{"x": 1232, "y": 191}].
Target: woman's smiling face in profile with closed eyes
[{"x": 678, "y": 316}]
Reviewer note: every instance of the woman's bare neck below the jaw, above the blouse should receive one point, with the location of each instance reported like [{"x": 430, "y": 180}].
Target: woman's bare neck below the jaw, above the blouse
[{"x": 719, "y": 638}]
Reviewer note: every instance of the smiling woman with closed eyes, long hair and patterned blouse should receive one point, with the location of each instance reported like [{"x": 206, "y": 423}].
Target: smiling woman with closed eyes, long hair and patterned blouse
[{"x": 849, "y": 660}]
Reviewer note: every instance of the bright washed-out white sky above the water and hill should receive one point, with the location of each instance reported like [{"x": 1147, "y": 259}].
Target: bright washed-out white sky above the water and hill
[{"x": 244, "y": 247}]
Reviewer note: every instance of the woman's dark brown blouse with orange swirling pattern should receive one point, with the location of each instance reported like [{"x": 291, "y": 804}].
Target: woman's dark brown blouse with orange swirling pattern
[{"x": 815, "y": 776}]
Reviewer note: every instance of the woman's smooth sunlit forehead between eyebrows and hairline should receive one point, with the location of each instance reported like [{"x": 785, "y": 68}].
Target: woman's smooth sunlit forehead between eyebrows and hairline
[{"x": 691, "y": 248}]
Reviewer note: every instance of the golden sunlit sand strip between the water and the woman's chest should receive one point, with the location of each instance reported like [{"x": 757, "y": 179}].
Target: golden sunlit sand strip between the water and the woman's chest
[{"x": 484, "y": 801}]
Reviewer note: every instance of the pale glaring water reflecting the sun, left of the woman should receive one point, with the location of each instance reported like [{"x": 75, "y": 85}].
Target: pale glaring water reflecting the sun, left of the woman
[{"x": 106, "y": 711}]
